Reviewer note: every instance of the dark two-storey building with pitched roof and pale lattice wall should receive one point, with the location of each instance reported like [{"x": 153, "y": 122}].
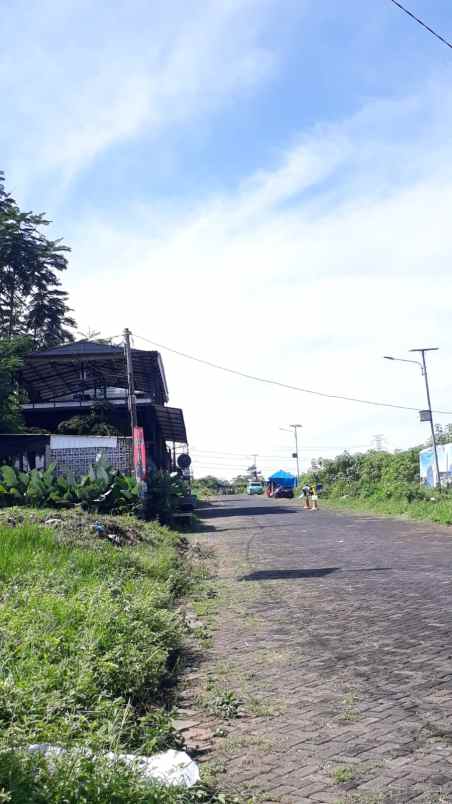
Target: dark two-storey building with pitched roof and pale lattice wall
[{"x": 69, "y": 381}]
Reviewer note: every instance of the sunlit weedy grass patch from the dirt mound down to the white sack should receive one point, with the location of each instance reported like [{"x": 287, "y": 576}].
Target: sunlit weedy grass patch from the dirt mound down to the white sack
[{"x": 87, "y": 635}]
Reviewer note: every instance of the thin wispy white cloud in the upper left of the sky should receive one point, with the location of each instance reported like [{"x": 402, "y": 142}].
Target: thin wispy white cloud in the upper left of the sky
[{"x": 87, "y": 78}]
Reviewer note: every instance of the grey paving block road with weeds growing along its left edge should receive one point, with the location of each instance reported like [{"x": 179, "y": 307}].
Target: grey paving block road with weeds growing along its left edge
[{"x": 335, "y": 631}]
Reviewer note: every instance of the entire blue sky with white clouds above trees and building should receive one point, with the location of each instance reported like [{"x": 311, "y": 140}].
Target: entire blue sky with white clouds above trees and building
[{"x": 264, "y": 184}]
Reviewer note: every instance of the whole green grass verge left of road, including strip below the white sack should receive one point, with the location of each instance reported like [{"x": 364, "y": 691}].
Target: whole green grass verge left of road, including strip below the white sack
[{"x": 89, "y": 644}]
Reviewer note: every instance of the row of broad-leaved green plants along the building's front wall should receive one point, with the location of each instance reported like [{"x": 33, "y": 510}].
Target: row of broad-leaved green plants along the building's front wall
[{"x": 103, "y": 489}]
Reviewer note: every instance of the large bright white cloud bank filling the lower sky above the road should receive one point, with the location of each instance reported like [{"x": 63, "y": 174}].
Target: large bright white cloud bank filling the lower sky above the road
[{"x": 294, "y": 278}]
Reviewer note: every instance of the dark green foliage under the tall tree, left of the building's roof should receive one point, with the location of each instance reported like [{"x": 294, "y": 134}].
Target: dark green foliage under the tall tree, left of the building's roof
[{"x": 12, "y": 353}]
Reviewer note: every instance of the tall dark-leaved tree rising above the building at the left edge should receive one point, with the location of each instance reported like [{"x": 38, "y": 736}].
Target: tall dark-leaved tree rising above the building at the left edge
[{"x": 31, "y": 301}]
